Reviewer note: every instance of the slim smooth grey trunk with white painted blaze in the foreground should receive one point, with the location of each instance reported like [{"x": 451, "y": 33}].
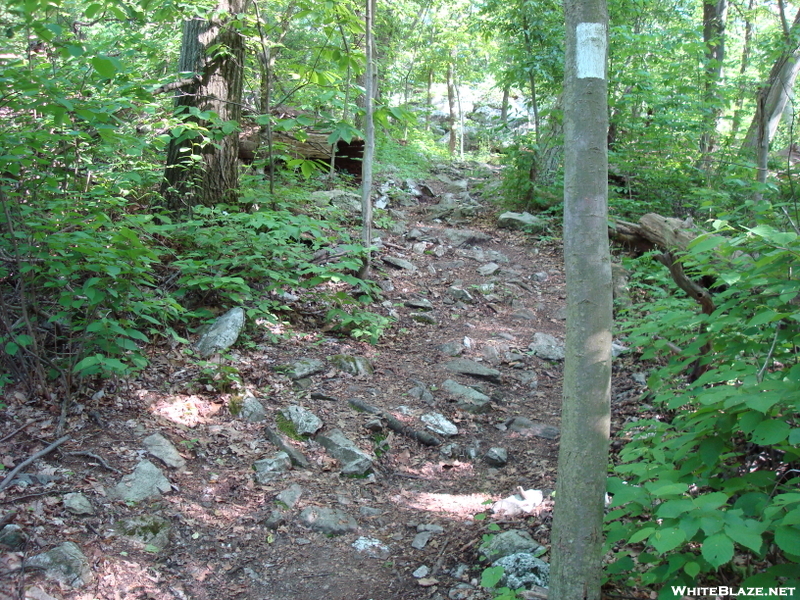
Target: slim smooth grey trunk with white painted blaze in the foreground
[{"x": 577, "y": 536}]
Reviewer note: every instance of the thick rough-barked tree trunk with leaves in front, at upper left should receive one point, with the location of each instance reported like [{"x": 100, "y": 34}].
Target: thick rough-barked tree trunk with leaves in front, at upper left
[{"x": 200, "y": 170}]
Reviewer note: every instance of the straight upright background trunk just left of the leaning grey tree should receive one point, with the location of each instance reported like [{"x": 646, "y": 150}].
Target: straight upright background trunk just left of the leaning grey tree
[{"x": 714, "y": 13}]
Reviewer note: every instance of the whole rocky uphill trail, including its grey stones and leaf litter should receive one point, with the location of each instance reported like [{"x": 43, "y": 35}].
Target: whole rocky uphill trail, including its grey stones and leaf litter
[{"x": 312, "y": 466}]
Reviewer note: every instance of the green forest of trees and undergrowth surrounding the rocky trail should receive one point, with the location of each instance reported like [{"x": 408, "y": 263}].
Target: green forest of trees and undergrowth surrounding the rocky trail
[{"x": 128, "y": 219}]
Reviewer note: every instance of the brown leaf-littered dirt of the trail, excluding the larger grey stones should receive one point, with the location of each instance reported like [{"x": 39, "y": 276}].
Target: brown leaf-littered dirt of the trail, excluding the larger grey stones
[{"x": 229, "y": 537}]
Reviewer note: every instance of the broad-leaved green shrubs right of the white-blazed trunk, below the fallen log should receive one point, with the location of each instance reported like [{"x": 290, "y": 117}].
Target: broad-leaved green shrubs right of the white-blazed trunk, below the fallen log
[{"x": 719, "y": 477}]
